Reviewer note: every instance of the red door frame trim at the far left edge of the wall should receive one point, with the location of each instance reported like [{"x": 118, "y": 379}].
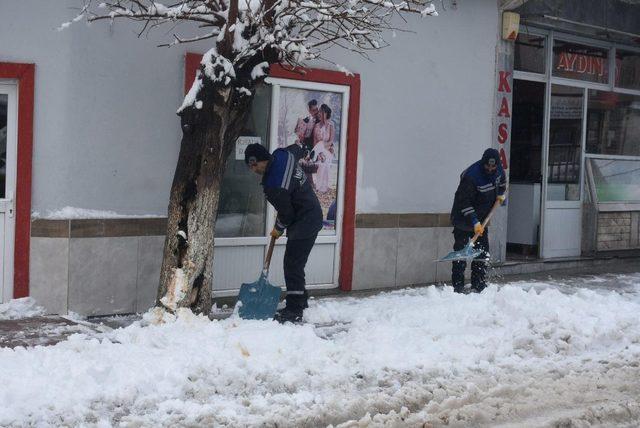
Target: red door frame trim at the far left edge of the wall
[{"x": 25, "y": 74}]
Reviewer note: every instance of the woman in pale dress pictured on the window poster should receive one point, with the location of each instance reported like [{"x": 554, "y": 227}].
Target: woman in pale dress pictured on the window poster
[{"x": 323, "y": 135}]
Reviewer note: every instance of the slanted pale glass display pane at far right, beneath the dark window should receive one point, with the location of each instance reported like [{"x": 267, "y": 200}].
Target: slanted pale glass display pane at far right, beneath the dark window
[{"x": 616, "y": 180}]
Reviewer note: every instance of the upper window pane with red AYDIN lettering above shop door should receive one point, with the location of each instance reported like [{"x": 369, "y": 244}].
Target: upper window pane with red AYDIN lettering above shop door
[{"x": 580, "y": 62}]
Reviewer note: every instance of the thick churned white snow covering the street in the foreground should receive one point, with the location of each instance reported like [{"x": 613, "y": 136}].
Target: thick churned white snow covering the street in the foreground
[{"x": 519, "y": 354}]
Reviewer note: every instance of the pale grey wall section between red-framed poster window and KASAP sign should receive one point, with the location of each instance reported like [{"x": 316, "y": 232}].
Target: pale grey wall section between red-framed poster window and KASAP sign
[{"x": 426, "y": 109}]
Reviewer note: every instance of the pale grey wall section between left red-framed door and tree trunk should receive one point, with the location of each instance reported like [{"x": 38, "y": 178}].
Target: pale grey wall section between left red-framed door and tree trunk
[{"x": 106, "y": 134}]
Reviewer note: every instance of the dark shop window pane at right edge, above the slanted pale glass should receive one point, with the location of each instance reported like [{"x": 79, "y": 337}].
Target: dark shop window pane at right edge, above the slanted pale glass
[{"x": 613, "y": 124}]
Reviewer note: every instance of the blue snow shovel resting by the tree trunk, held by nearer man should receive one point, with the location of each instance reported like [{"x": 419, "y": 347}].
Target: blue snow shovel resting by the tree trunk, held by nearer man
[{"x": 259, "y": 300}]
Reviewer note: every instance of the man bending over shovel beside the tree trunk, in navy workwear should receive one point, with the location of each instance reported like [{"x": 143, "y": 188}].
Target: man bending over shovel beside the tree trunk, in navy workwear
[{"x": 286, "y": 188}]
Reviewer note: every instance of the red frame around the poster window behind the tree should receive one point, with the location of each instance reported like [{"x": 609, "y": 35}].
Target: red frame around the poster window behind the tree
[{"x": 345, "y": 278}]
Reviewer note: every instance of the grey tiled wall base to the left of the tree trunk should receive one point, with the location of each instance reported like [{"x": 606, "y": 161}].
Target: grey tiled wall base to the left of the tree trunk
[{"x": 95, "y": 276}]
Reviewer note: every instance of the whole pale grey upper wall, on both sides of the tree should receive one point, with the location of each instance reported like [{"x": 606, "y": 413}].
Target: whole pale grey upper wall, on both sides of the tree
[{"x": 107, "y": 137}]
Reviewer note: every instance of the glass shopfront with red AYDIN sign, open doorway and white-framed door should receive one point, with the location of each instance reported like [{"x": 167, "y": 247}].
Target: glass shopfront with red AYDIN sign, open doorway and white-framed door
[{"x": 573, "y": 99}]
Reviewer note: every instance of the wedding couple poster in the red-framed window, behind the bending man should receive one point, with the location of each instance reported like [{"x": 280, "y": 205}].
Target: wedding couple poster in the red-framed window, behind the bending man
[{"x": 309, "y": 124}]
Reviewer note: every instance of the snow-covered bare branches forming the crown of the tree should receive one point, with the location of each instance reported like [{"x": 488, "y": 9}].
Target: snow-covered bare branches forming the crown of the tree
[{"x": 246, "y": 33}]
